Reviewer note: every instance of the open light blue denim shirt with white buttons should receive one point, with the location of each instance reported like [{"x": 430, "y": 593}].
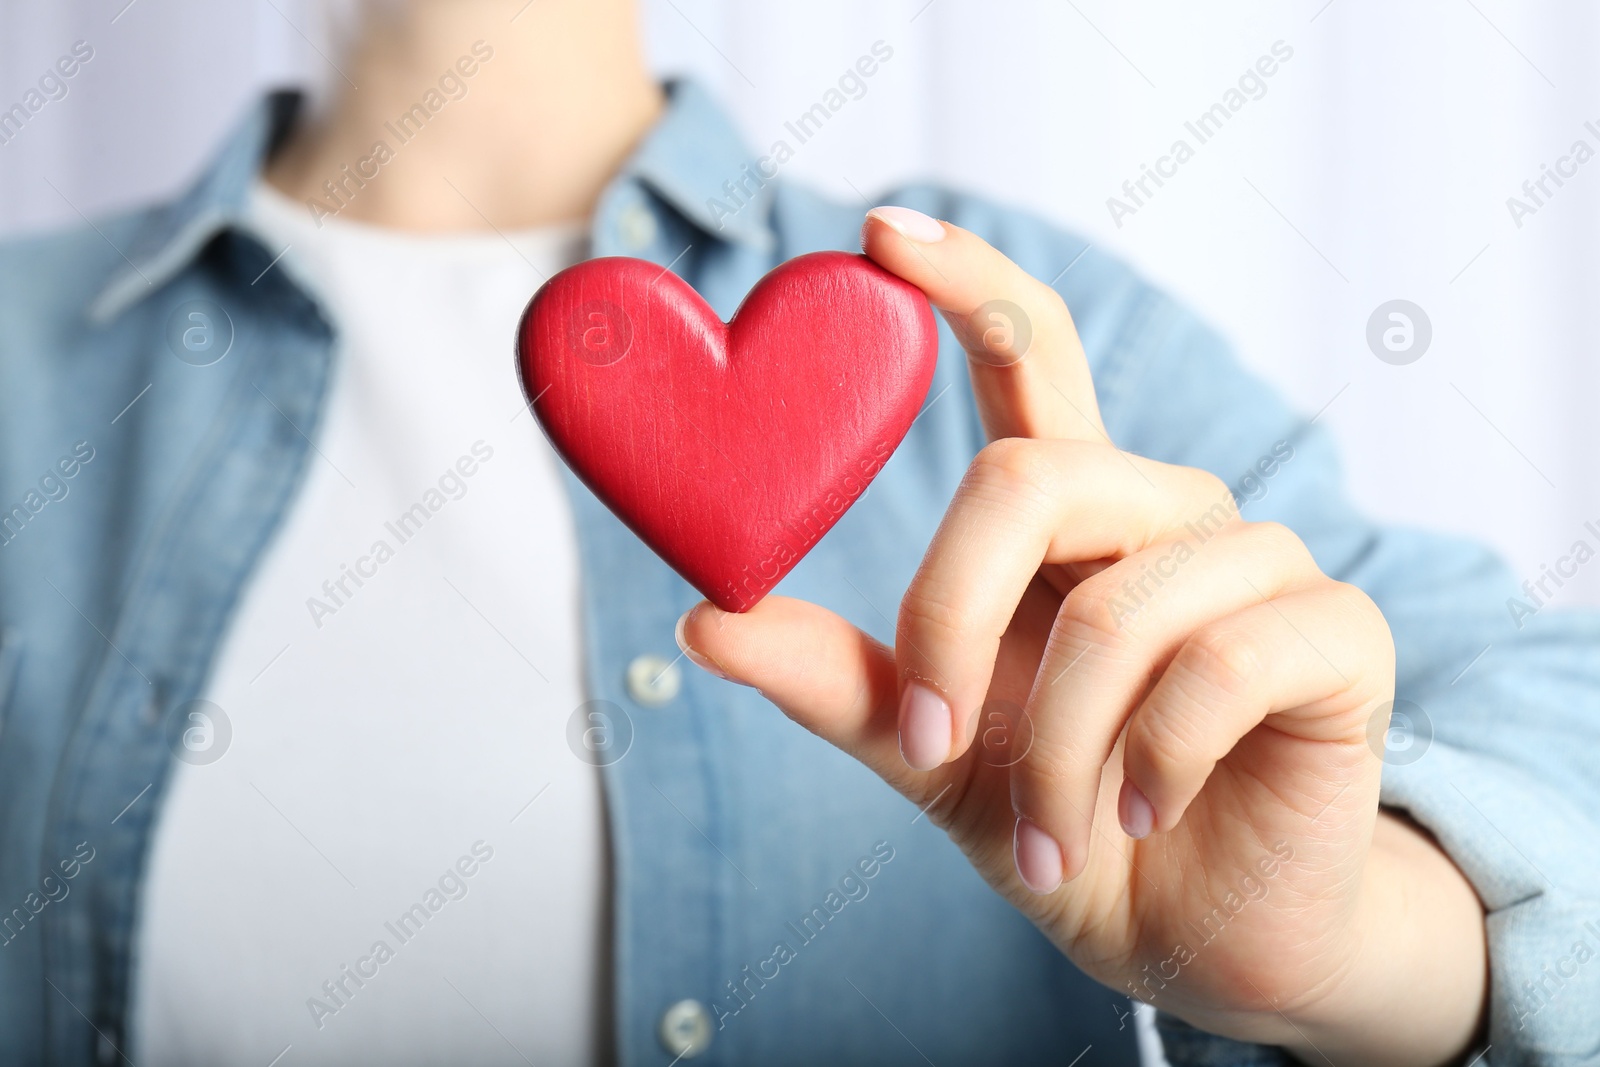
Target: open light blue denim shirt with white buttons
[{"x": 140, "y": 489}]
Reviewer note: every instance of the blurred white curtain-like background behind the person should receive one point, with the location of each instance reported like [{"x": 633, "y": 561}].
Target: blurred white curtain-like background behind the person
[{"x": 1375, "y": 167}]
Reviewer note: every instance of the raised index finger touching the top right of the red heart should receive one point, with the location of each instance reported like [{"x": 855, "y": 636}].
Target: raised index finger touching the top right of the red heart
[{"x": 1030, "y": 374}]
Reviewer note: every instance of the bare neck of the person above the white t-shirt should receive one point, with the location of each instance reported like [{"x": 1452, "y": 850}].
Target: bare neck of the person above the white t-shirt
[{"x": 474, "y": 114}]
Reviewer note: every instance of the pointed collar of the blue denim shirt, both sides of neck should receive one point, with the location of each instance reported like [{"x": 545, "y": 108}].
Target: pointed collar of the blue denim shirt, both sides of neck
[{"x": 694, "y": 159}]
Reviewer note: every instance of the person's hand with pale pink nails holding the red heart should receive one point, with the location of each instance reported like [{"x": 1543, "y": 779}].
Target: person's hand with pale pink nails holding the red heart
[{"x": 1143, "y": 719}]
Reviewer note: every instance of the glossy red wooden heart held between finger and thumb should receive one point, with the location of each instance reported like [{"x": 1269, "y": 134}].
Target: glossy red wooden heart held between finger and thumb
[{"x": 729, "y": 449}]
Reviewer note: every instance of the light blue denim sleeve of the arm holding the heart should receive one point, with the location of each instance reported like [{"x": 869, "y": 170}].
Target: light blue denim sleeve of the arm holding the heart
[{"x": 1495, "y": 743}]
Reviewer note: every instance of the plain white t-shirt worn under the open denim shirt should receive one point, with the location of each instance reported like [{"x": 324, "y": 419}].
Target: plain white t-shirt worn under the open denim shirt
[{"x": 398, "y": 858}]
